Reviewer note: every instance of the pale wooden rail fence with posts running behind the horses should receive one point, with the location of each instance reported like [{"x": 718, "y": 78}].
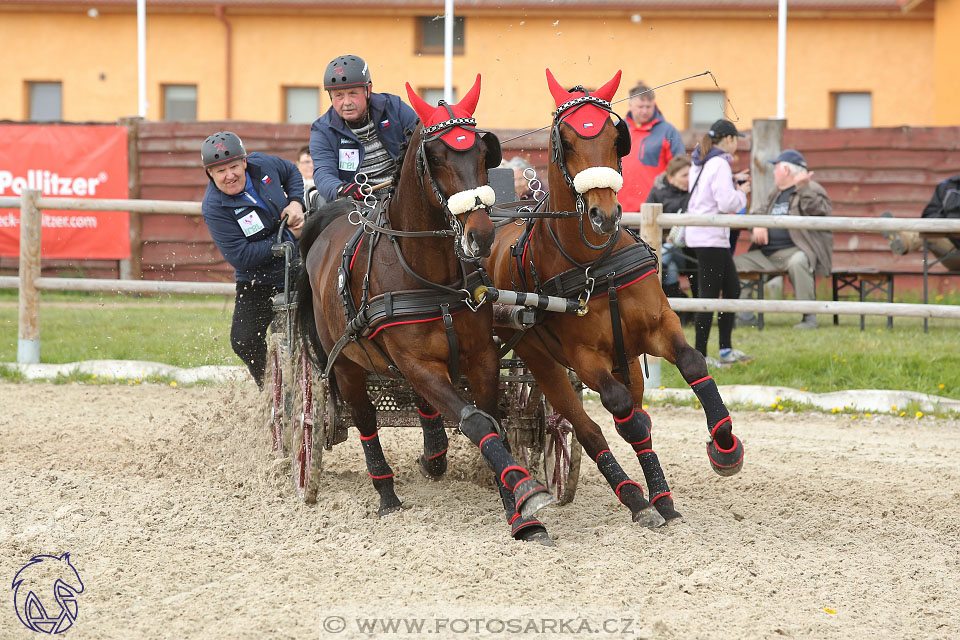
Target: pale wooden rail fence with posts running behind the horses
[{"x": 651, "y": 221}]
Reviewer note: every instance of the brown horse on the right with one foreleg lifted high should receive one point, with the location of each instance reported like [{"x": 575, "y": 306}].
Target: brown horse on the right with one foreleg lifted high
[{"x": 588, "y": 256}]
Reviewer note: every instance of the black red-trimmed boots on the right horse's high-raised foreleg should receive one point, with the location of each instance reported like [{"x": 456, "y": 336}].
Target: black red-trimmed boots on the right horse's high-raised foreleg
[{"x": 724, "y": 449}]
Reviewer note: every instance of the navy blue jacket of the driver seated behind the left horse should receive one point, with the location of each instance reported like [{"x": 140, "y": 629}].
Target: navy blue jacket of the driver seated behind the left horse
[{"x": 331, "y": 138}]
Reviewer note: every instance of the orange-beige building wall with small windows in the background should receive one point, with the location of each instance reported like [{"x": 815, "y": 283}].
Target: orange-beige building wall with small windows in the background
[{"x": 900, "y": 59}]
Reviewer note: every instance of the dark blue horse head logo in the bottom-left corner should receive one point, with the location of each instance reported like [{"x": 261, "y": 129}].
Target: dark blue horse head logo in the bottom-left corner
[{"x": 45, "y": 594}]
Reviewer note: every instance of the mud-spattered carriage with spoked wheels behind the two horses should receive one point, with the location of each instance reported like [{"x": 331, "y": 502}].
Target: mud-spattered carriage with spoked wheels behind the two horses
[{"x": 305, "y": 418}]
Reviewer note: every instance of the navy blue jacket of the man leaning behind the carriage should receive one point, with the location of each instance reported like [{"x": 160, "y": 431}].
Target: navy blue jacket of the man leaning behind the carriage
[{"x": 278, "y": 183}]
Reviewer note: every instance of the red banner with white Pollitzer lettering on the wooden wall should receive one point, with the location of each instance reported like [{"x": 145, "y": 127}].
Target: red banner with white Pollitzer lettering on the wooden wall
[{"x": 67, "y": 161}]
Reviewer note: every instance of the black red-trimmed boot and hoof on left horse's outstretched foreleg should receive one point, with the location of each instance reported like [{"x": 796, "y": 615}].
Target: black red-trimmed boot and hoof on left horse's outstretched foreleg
[{"x": 481, "y": 429}]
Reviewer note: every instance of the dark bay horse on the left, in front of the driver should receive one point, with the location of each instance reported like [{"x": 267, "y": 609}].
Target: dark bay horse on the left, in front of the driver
[{"x": 402, "y": 279}]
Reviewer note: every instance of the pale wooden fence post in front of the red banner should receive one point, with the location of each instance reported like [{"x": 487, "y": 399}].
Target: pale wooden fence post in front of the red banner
[{"x": 28, "y": 346}]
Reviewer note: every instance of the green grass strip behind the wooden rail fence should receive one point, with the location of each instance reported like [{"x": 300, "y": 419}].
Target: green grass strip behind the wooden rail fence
[{"x": 190, "y": 331}]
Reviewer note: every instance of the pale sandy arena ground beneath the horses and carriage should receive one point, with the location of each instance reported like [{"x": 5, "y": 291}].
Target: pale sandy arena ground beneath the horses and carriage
[{"x": 181, "y": 524}]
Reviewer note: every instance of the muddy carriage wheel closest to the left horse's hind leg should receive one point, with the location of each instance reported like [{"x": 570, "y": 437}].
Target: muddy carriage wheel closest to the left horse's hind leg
[{"x": 309, "y": 428}]
